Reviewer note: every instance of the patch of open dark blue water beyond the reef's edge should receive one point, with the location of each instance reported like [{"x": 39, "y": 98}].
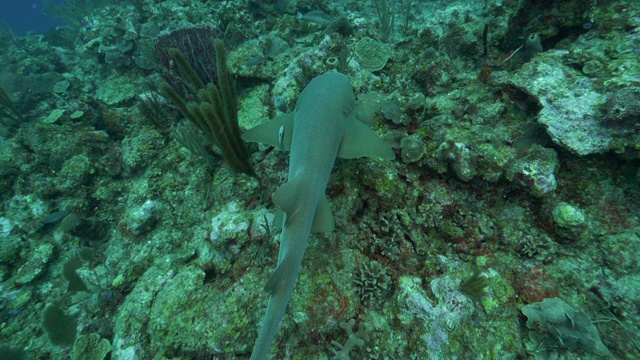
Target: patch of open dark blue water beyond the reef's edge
[{"x": 27, "y": 15}]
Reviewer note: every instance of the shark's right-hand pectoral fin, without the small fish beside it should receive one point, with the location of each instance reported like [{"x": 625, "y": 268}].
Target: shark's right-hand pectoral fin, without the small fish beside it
[{"x": 359, "y": 141}]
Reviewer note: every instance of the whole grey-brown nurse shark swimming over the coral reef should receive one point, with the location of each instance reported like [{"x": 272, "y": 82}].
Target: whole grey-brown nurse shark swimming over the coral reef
[{"x": 322, "y": 127}]
